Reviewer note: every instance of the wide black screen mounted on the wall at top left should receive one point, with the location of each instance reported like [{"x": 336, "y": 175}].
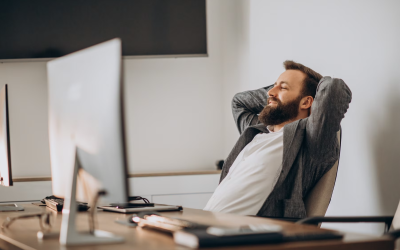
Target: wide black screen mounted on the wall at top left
[{"x": 49, "y": 28}]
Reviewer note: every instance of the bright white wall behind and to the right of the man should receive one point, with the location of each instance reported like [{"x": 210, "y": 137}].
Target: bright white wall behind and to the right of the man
[{"x": 357, "y": 41}]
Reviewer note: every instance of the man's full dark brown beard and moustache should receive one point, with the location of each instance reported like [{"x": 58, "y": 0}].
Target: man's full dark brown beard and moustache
[{"x": 280, "y": 113}]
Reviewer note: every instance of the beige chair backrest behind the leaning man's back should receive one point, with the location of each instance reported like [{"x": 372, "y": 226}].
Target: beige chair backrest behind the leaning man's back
[{"x": 317, "y": 201}]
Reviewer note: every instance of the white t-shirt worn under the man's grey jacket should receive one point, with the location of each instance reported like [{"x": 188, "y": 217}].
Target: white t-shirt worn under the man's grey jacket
[{"x": 251, "y": 177}]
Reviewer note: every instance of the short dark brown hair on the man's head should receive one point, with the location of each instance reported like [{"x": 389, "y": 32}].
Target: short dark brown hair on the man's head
[{"x": 312, "y": 78}]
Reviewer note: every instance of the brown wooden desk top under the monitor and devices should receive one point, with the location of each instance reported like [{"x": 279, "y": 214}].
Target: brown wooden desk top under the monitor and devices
[{"x": 22, "y": 233}]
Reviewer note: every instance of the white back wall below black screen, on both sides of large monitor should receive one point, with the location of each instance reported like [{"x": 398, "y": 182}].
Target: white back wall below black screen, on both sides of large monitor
[{"x": 173, "y": 110}]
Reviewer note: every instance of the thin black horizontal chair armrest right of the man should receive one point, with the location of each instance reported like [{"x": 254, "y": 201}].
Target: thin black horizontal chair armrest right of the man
[{"x": 349, "y": 219}]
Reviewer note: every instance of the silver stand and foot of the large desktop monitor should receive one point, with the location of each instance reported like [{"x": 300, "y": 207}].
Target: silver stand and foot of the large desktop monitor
[{"x": 68, "y": 234}]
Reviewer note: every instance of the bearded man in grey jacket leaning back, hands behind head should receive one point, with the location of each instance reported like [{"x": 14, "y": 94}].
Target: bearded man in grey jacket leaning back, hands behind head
[{"x": 283, "y": 152}]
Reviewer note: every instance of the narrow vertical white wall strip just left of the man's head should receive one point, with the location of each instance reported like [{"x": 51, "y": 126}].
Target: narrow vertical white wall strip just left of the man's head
[{"x": 235, "y": 65}]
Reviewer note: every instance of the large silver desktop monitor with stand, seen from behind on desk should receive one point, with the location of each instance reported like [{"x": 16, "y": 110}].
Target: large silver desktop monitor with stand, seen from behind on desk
[{"x": 86, "y": 131}]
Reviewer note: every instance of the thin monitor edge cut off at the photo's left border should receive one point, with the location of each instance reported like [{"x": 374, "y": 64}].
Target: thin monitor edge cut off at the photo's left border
[{"x": 5, "y": 156}]
